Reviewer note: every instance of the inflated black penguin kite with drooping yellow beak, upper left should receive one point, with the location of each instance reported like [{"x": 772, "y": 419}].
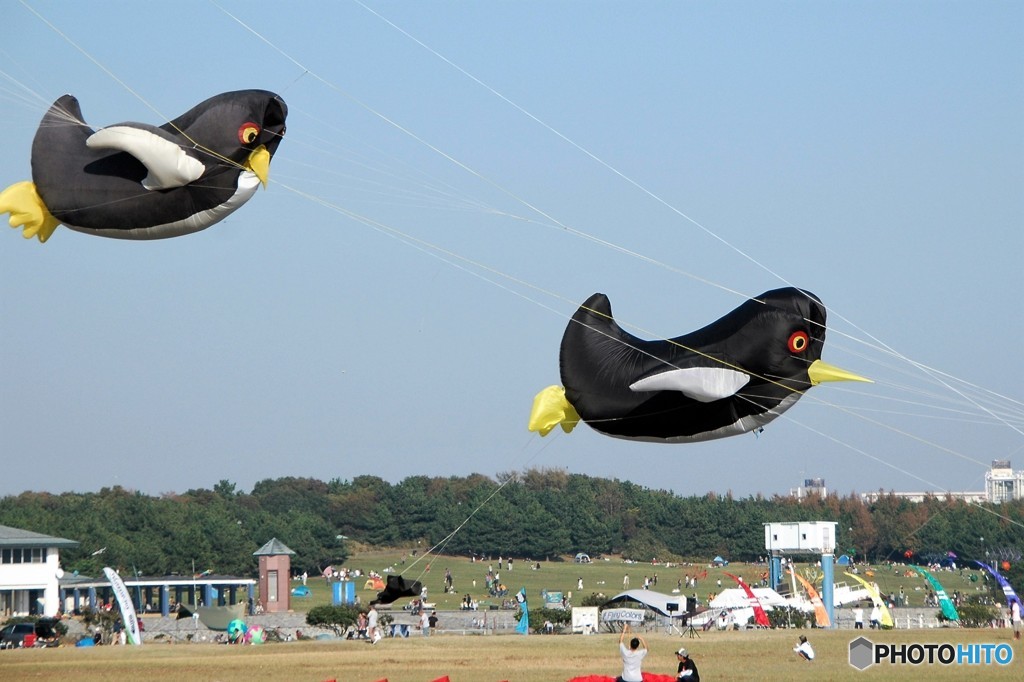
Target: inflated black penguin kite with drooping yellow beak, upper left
[{"x": 138, "y": 182}]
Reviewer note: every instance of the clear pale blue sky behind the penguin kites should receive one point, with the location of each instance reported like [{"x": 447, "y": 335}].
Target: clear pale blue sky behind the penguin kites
[{"x": 457, "y": 178}]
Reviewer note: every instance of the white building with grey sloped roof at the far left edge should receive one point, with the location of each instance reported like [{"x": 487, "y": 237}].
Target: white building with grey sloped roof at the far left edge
[{"x": 30, "y": 569}]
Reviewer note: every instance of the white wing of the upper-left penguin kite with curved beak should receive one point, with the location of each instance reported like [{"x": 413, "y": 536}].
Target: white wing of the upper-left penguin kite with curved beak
[{"x": 168, "y": 164}]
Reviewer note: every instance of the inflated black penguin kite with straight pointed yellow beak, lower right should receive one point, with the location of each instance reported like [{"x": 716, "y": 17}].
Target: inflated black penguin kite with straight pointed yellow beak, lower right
[{"x": 732, "y": 377}]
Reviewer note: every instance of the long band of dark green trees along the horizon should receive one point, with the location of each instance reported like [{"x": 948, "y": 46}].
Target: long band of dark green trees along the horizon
[{"x": 538, "y": 515}]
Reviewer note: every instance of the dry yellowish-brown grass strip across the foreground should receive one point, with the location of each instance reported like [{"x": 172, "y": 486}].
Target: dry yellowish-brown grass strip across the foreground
[{"x": 720, "y": 656}]
